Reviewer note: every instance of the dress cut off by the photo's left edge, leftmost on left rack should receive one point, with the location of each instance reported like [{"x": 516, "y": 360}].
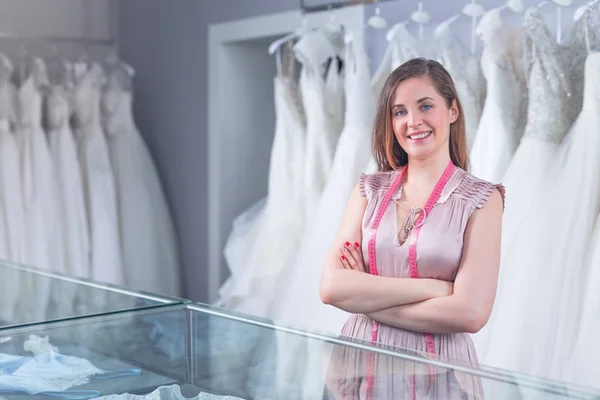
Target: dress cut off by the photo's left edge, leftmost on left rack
[{"x": 12, "y": 235}]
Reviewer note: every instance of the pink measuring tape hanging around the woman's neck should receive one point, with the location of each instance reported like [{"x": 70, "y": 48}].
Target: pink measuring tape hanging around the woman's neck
[{"x": 412, "y": 260}]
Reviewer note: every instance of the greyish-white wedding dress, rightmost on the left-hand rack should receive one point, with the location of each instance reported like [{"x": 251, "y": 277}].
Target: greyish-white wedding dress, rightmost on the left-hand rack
[{"x": 148, "y": 240}]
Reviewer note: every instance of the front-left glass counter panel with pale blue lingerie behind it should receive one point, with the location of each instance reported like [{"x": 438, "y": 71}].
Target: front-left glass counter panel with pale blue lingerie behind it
[{"x": 134, "y": 351}]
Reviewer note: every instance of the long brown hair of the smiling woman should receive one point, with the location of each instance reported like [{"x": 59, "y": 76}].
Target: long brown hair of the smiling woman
[{"x": 387, "y": 150}]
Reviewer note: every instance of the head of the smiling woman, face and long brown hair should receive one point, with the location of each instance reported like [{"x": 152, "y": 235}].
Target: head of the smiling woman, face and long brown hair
[{"x": 422, "y": 100}]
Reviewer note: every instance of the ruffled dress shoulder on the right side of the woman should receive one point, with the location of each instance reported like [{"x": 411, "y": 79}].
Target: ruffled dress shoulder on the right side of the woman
[{"x": 468, "y": 187}]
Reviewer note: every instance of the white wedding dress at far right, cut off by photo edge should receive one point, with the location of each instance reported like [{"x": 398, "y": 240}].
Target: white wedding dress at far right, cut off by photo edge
[{"x": 574, "y": 290}]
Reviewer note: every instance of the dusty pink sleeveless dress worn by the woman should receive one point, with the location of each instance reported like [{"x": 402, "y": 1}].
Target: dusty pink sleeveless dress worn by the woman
[{"x": 460, "y": 194}]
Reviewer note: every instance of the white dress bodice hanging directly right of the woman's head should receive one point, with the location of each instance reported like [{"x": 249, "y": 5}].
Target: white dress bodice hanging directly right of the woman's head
[{"x": 448, "y": 54}]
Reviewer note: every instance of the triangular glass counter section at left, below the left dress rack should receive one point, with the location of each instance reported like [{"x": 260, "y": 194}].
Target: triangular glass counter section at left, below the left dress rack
[{"x": 33, "y": 296}]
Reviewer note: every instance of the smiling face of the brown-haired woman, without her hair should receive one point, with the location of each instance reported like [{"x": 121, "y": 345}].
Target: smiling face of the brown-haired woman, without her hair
[{"x": 421, "y": 119}]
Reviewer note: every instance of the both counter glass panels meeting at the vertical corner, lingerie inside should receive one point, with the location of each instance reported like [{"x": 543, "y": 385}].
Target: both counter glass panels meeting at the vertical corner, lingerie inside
[{"x": 193, "y": 350}]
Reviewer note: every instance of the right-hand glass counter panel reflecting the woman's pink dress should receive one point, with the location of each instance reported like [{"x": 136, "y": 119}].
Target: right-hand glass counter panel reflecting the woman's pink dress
[{"x": 251, "y": 358}]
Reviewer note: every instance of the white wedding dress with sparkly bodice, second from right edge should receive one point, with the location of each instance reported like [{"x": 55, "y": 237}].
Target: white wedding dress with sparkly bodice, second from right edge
[{"x": 525, "y": 279}]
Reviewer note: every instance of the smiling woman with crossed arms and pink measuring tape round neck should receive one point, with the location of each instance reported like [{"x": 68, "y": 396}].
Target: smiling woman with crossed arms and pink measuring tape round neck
[{"x": 422, "y": 216}]
